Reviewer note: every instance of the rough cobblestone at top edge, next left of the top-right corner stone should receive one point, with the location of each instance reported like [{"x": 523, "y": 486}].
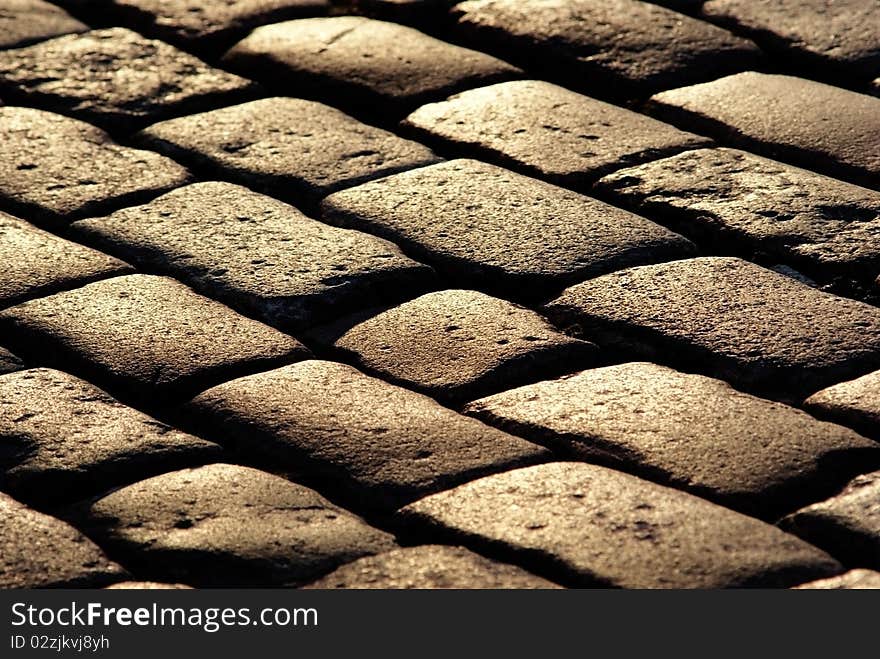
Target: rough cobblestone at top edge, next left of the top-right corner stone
[{"x": 627, "y": 46}]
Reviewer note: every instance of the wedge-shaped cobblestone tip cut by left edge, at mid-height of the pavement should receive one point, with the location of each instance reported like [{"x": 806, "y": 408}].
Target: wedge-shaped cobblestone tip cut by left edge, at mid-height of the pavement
[{"x": 35, "y": 263}]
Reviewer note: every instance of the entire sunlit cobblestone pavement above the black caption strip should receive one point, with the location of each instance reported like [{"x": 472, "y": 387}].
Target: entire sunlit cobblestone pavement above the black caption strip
[{"x": 416, "y": 294}]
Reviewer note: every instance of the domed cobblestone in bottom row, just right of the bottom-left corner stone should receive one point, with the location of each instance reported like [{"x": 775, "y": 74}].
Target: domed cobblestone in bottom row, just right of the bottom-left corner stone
[{"x": 225, "y": 525}]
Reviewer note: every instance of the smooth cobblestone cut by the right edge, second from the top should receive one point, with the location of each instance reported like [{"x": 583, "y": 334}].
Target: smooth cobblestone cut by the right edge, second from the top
[{"x": 824, "y": 128}]
